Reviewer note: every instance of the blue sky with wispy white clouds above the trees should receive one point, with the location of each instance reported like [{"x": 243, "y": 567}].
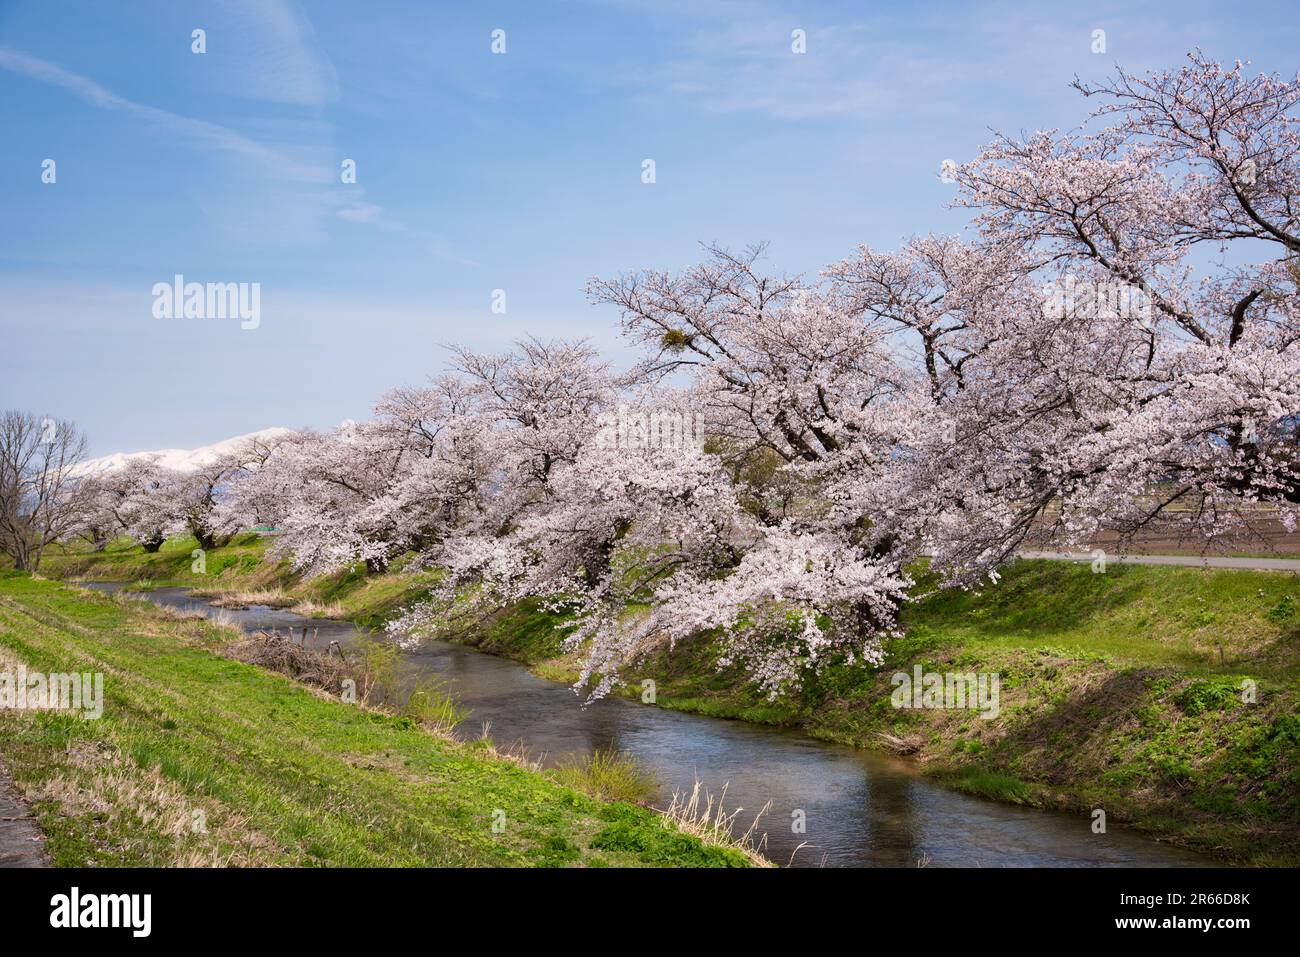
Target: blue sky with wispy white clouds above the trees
[{"x": 476, "y": 172}]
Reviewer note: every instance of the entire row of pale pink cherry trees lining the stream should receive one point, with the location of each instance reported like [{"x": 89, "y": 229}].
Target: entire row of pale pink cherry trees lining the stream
[{"x": 1113, "y": 347}]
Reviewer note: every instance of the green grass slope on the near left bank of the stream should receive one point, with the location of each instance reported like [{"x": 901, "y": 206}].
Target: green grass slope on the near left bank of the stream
[{"x": 276, "y": 773}]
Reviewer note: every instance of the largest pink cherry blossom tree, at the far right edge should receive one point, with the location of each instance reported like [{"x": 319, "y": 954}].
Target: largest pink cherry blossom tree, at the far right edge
[{"x": 1104, "y": 356}]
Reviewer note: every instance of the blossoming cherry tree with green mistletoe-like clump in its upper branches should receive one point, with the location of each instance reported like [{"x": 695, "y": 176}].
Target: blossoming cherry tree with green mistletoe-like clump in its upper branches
[{"x": 804, "y": 401}]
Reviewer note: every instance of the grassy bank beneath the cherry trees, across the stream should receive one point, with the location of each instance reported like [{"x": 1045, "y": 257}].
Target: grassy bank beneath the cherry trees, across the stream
[{"x": 1119, "y": 691}]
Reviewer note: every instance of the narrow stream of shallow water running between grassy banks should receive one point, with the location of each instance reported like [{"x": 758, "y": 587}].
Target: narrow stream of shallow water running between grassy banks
[{"x": 861, "y": 809}]
